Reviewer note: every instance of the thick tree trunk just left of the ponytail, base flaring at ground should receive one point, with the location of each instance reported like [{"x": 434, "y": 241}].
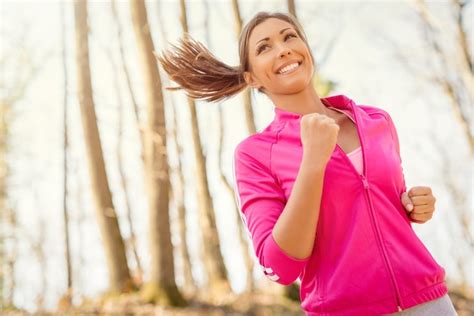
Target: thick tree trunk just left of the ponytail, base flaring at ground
[{"x": 161, "y": 287}]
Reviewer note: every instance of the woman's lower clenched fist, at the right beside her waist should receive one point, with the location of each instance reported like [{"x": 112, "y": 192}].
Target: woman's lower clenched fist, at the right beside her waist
[{"x": 419, "y": 202}]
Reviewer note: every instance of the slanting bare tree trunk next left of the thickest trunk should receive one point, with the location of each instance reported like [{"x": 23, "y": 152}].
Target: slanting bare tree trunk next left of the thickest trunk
[{"x": 119, "y": 276}]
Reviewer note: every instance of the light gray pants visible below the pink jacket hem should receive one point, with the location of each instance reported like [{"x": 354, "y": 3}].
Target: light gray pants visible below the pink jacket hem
[{"x": 439, "y": 307}]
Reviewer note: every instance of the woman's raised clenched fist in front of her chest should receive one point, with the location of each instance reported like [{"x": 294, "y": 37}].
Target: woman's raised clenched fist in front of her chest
[{"x": 318, "y": 137}]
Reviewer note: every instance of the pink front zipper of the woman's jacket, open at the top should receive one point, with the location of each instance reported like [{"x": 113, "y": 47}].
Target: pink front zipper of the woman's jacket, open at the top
[{"x": 363, "y": 178}]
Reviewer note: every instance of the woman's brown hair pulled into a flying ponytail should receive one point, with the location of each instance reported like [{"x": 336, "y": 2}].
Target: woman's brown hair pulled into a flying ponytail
[{"x": 203, "y": 76}]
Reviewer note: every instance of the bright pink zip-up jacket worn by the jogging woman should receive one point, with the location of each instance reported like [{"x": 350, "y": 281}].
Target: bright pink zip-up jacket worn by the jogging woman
[{"x": 366, "y": 259}]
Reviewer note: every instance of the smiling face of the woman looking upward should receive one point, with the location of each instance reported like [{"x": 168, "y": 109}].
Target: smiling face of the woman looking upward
[{"x": 267, "y": 57}]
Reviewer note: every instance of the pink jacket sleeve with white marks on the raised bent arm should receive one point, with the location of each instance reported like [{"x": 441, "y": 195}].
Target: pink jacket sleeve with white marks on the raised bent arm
[{"x": 260, "y": 201}]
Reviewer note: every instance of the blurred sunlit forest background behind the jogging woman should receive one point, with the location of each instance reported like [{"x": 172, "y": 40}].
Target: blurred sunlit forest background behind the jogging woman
[{"x": 116, "y": 195}]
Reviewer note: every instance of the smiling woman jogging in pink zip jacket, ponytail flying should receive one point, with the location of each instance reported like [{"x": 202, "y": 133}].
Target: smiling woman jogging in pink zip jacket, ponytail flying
[{"x": 321, "y": 189}]
